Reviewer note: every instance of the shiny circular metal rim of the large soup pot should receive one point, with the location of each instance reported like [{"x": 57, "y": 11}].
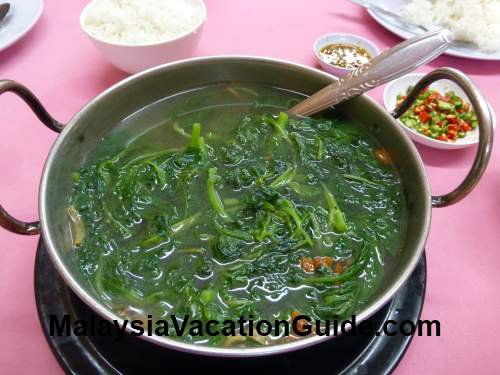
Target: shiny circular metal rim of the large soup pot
[{"x": 166, "y": 341}]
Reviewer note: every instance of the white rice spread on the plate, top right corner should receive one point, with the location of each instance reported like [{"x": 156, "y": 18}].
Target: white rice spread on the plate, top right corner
[{"x": 476, "y": 21}]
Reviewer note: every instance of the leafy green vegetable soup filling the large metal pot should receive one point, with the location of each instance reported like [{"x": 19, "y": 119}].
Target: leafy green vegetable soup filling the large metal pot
[{"x": 223, "y": 207}]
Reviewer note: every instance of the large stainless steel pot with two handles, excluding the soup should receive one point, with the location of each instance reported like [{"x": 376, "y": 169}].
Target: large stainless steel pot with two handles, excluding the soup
[{"x": 84, "y": 131}]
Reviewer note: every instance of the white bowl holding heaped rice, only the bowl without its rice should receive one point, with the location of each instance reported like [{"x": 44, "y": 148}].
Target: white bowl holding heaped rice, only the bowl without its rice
[{"x": 133, "y": 58}]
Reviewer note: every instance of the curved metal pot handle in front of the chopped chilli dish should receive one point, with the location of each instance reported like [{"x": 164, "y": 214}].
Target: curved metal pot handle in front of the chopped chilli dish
[{"x": 485, "y": 129}]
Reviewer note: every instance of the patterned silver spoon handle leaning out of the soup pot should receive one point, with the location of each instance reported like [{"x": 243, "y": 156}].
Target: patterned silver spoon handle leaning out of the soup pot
[{"x": 392, "y": 63}]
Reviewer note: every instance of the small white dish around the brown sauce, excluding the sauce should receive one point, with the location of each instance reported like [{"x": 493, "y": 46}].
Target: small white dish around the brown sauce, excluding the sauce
[{"x": 335, "y": 38}]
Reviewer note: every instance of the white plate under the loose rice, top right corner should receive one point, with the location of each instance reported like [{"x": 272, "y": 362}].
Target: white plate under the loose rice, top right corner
[{"x": 466, "y": 50}]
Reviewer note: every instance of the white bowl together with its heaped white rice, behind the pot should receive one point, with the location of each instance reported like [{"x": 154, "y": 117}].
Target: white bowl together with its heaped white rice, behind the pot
[{"x": 135, "y": 35}]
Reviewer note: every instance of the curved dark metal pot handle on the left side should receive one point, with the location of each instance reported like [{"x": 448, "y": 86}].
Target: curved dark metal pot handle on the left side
[{"x": 6, "y": 220}]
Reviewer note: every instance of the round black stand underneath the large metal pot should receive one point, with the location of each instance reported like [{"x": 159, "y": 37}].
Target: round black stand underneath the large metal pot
[{"x": 102, "y": 355}]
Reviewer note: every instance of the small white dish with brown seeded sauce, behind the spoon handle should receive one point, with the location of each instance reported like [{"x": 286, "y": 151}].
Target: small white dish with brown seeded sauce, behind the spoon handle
[{"x": 338, "y": 54}]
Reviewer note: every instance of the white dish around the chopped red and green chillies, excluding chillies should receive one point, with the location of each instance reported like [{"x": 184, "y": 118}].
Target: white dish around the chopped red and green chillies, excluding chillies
[{"x": 400, "y": 85}]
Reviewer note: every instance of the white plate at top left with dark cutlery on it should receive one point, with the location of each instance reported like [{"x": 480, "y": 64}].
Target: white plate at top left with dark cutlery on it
[{"x": 22, "y": 16}]
